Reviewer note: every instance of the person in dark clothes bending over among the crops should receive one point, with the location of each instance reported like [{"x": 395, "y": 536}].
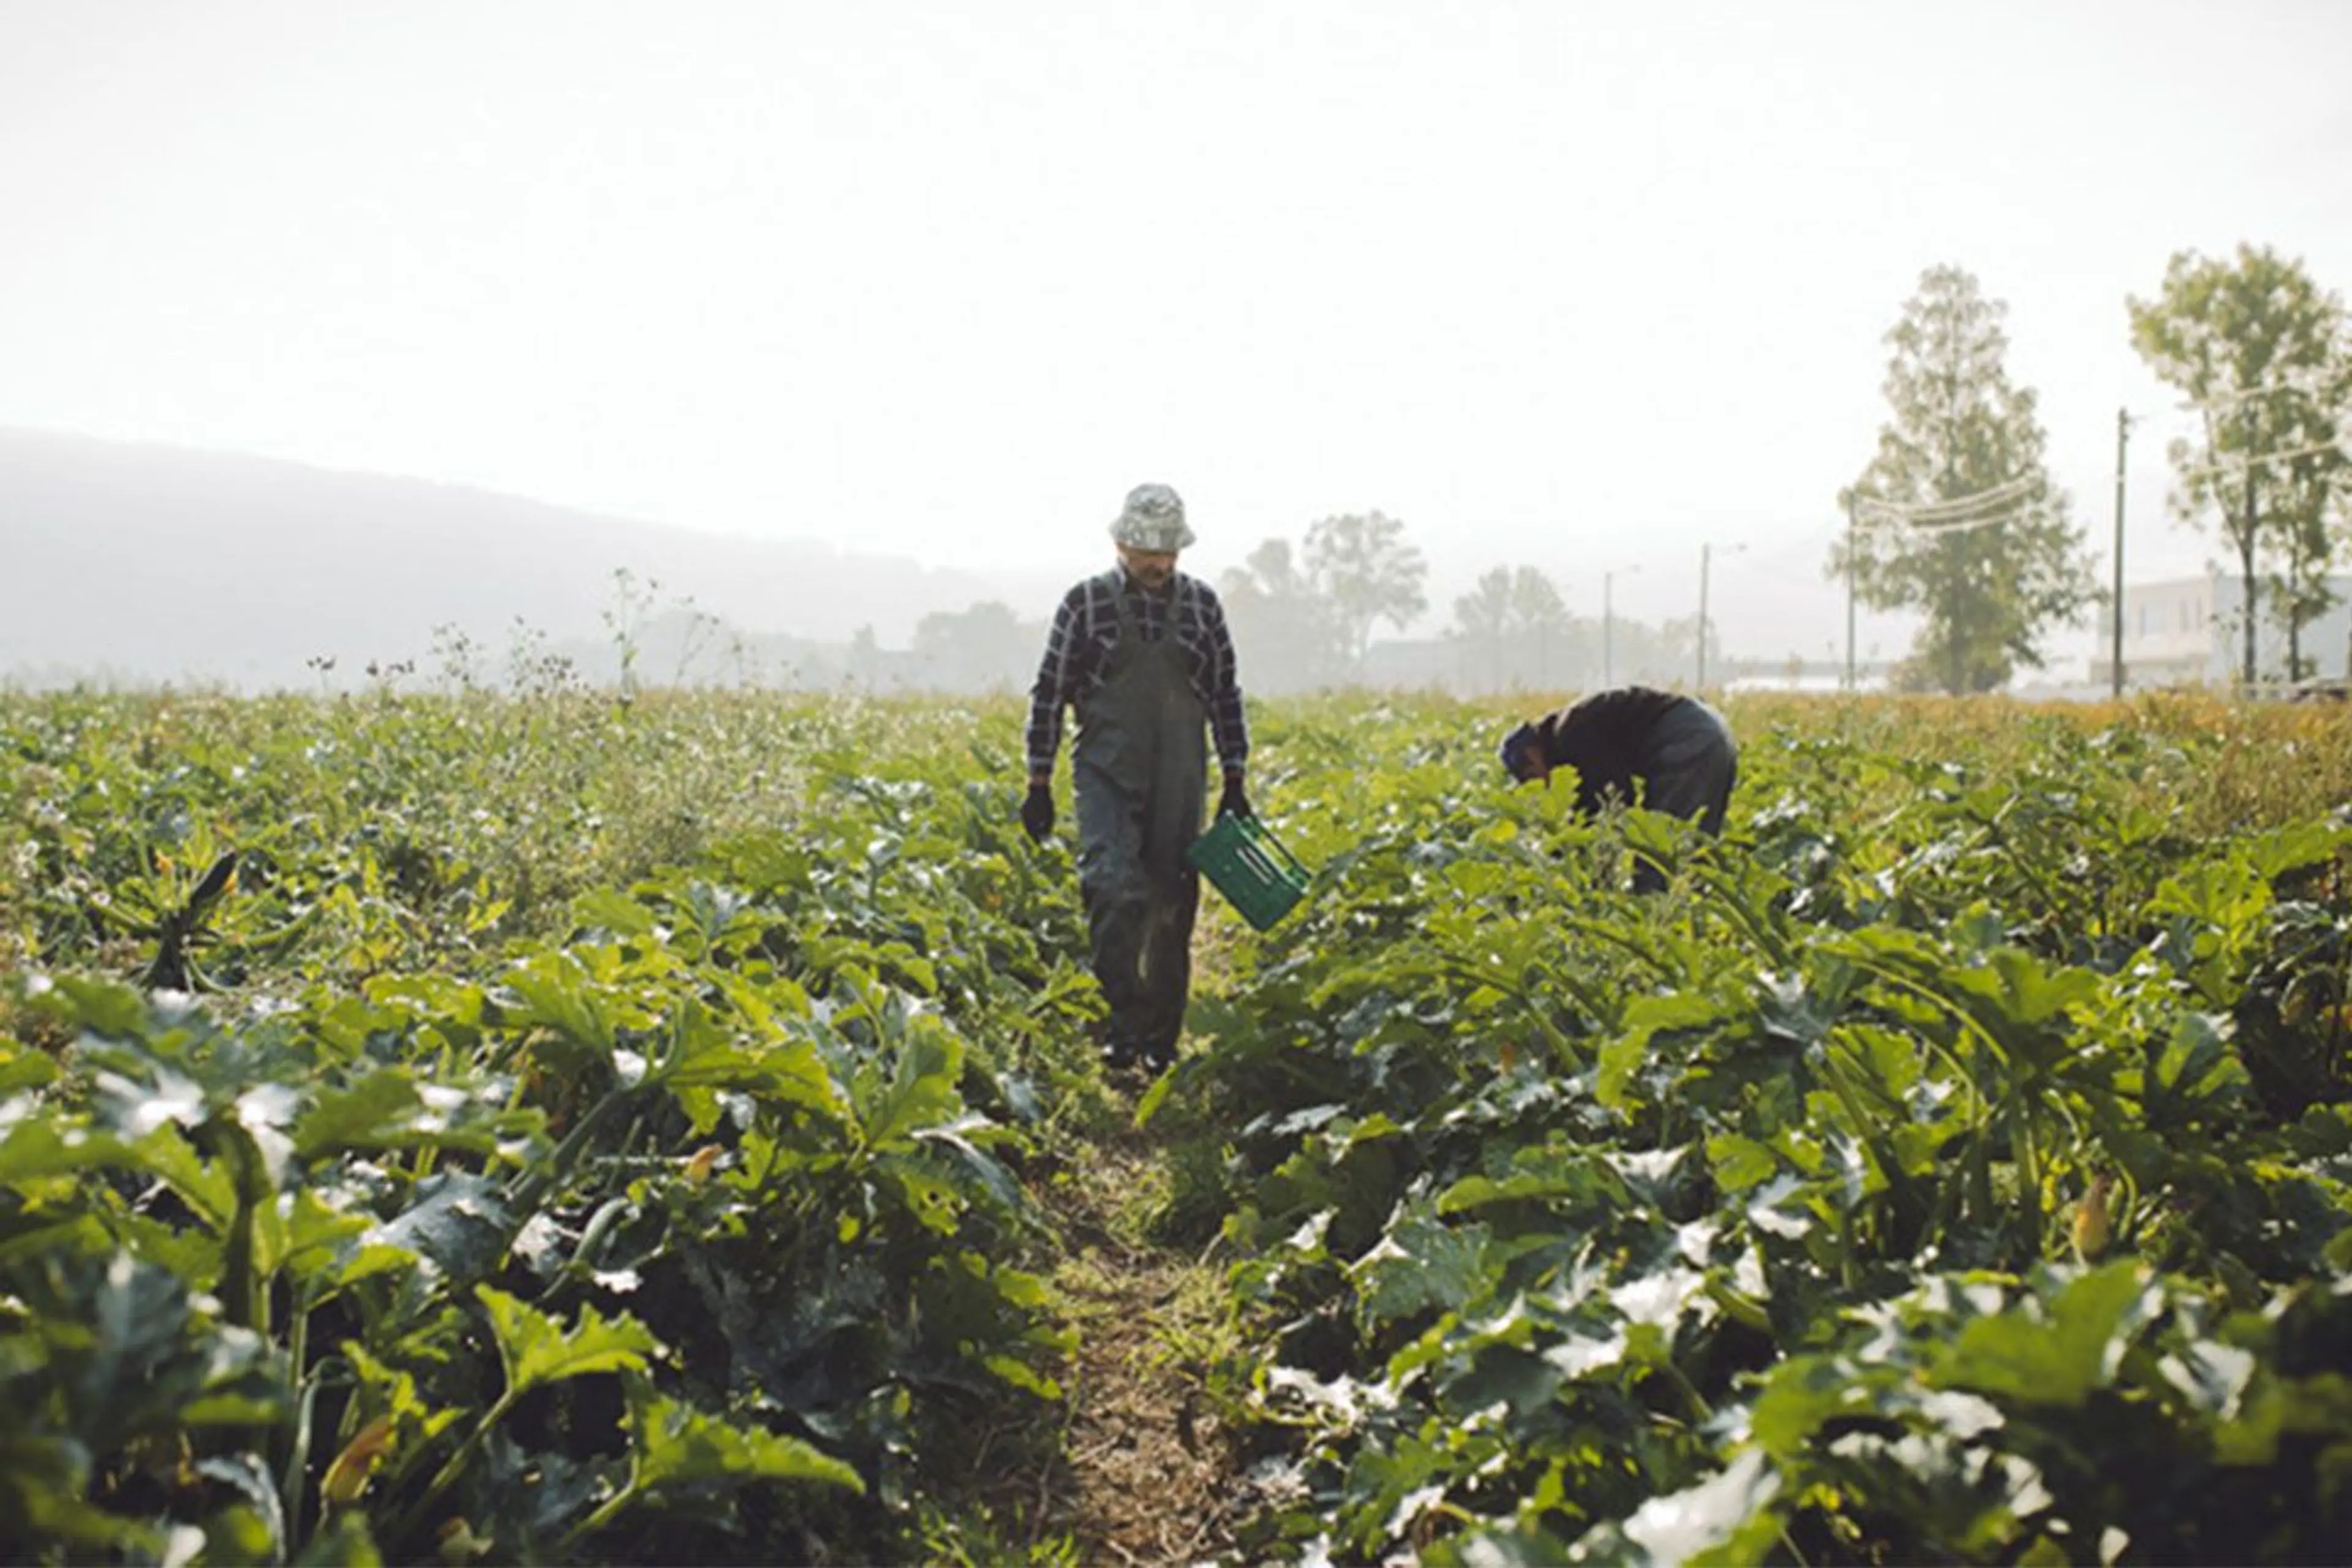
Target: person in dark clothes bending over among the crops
[{"x": 1638, "y": 746}]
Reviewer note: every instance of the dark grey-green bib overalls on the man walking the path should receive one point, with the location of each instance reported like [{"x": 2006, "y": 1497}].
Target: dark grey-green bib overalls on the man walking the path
[{"x": 1140, "y": 775}]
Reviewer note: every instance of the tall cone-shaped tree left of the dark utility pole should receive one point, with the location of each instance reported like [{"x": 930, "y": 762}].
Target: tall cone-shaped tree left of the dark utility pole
[{"x": 1991, "y": 577}]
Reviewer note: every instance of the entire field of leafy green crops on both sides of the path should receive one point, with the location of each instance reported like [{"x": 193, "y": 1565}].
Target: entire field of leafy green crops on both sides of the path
[{"x": 577, "y": 1130}]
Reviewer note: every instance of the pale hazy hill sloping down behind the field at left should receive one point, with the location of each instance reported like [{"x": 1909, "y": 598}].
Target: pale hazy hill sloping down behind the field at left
[{"x": 154, "y": 563}]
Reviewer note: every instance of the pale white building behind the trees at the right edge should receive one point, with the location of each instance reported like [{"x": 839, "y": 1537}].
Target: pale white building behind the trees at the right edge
[{"x": 2189, "y": 634}]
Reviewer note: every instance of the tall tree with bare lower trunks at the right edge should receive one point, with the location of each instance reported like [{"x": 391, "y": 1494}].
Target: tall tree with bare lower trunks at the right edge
[{"x": 2259, "y": 351}]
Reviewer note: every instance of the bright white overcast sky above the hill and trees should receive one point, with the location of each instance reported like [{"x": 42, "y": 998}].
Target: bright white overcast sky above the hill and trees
[{"x": 1570, "y": 283}]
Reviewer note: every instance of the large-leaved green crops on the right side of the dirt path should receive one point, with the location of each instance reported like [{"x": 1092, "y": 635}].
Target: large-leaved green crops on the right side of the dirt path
[{"x": 1953, "y": 1167}]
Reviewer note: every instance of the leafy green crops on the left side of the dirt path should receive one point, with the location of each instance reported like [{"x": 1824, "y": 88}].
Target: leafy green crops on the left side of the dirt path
[{"x": 486, "y": 1228}]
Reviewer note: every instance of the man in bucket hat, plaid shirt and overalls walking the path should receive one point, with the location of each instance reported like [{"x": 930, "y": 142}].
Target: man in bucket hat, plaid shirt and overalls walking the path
[{"x": 1147, "y": 659}]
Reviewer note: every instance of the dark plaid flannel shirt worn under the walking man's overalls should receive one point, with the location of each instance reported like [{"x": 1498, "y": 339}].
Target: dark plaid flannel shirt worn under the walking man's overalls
[{"x": 1078, "y": 657}]
